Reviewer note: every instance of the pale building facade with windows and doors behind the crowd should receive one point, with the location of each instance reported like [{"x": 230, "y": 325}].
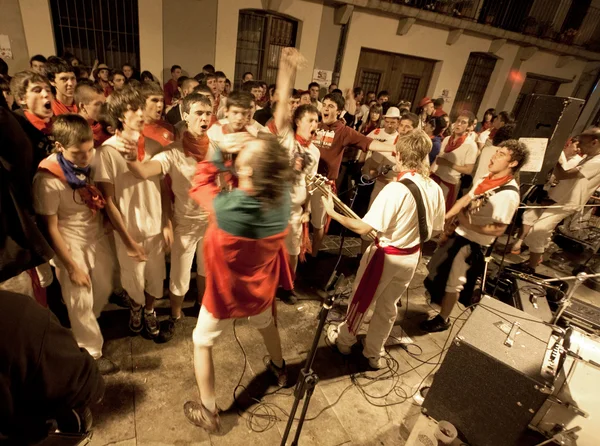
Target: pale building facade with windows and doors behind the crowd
[{"x": 476, "y": 54}]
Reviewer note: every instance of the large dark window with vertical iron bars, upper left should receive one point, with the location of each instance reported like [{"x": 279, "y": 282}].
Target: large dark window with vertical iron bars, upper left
[{"x": 106, "y": 30}]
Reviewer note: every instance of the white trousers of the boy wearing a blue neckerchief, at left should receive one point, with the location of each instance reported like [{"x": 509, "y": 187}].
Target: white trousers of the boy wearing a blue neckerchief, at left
[{"x": 81, "y": 306}]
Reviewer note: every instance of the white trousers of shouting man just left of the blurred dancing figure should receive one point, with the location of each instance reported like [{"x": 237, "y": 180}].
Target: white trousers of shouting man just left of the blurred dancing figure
[{"x": 188, "y": 240}]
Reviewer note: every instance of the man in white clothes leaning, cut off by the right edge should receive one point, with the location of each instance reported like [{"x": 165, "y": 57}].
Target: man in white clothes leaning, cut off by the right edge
[{"x": 575, "y": 187}]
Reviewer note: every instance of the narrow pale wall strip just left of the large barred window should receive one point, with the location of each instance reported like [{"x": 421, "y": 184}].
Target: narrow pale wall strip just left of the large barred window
[{"x": 37, "y": 24}]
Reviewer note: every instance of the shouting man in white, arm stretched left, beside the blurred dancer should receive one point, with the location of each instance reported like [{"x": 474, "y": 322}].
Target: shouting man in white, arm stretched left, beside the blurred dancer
[{"x": 179, "y": 160}]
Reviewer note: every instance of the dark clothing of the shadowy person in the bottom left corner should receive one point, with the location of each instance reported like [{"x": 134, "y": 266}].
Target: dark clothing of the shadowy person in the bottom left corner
[{"x": 42, "y": 372}]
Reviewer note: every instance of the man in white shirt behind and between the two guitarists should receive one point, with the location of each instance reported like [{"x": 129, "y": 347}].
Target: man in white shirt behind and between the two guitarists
[{"x": 457, "y": 157}]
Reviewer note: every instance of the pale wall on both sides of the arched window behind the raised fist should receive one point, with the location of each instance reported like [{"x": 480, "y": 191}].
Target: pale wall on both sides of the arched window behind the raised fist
[{"x": 309, "y": 13}]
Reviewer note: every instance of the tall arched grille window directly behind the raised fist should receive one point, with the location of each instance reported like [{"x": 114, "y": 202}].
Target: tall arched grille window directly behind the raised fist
[{"x": 261, "y": 37}]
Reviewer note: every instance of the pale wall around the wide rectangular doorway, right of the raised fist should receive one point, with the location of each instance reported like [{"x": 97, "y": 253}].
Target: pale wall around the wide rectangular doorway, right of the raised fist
[{"x": 378, "y": 32}]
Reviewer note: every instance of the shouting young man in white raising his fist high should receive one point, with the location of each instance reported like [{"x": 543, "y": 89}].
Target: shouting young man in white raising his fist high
[{"x": 296, "y": 130}]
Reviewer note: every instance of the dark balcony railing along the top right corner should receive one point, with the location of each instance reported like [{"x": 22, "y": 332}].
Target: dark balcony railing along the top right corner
[{"x": 572, "y": 22}]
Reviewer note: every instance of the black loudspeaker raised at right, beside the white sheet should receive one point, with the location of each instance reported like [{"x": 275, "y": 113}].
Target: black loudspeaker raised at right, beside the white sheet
[{"x": 551, "y": 117}]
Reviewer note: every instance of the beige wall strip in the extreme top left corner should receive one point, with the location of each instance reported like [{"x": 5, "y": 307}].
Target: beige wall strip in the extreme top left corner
[{"x": 12, "y": 25}]
